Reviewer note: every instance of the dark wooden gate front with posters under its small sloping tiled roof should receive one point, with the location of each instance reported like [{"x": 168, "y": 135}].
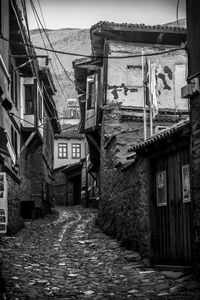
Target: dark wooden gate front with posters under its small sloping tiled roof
[{"x": 170, "y": 197}]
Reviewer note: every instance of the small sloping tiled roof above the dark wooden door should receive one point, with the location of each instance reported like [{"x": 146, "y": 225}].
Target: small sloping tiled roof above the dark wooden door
[{"x": 159, "y": 137}]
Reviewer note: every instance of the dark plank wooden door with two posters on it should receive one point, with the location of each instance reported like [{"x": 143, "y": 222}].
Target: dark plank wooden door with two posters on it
[{"x": 171, "y": 209}]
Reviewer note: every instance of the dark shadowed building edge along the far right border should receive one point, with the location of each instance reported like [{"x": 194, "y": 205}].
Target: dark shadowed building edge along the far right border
[{"x": 193, "y": 23}]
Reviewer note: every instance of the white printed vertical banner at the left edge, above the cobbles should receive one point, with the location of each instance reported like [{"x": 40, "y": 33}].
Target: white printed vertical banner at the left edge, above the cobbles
[{"x": 3, "y": 203}]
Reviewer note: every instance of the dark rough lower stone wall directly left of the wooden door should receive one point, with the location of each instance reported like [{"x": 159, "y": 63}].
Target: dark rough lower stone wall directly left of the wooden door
[{"x": 124, "y": 204}]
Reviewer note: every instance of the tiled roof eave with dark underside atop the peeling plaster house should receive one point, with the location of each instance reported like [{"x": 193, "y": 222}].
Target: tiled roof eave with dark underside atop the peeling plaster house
[{"x": 134, "y": 33}]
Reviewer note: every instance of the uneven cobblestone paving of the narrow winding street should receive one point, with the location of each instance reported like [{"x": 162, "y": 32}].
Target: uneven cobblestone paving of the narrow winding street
[{"x": 69, "y": 258}]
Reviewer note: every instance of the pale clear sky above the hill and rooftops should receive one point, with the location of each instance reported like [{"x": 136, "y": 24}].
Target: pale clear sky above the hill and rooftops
[{"x": 85, "y": 13}]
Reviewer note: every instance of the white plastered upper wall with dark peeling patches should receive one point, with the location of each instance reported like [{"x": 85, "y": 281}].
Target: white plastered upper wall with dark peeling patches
[{"x": 125, "y": 82}]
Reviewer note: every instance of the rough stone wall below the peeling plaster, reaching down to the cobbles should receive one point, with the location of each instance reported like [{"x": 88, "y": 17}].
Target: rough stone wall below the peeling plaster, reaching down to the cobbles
[{"x": 123, "y": 204}]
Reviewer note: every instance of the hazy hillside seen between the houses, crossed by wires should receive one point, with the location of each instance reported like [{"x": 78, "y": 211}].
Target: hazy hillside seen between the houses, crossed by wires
[{"x": 68, "y": 40}]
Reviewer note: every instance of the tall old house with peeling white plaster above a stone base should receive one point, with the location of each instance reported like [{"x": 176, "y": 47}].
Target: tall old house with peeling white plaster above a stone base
[{"x": 115, "y": 115}]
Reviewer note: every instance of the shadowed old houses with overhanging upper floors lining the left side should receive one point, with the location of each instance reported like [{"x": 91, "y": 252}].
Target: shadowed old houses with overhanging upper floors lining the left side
[{"x": 28, "y": 120}]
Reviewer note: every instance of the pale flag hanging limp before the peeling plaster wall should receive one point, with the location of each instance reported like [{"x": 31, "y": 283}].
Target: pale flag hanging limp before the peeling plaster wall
[{"x": 154, "y": 91}]
